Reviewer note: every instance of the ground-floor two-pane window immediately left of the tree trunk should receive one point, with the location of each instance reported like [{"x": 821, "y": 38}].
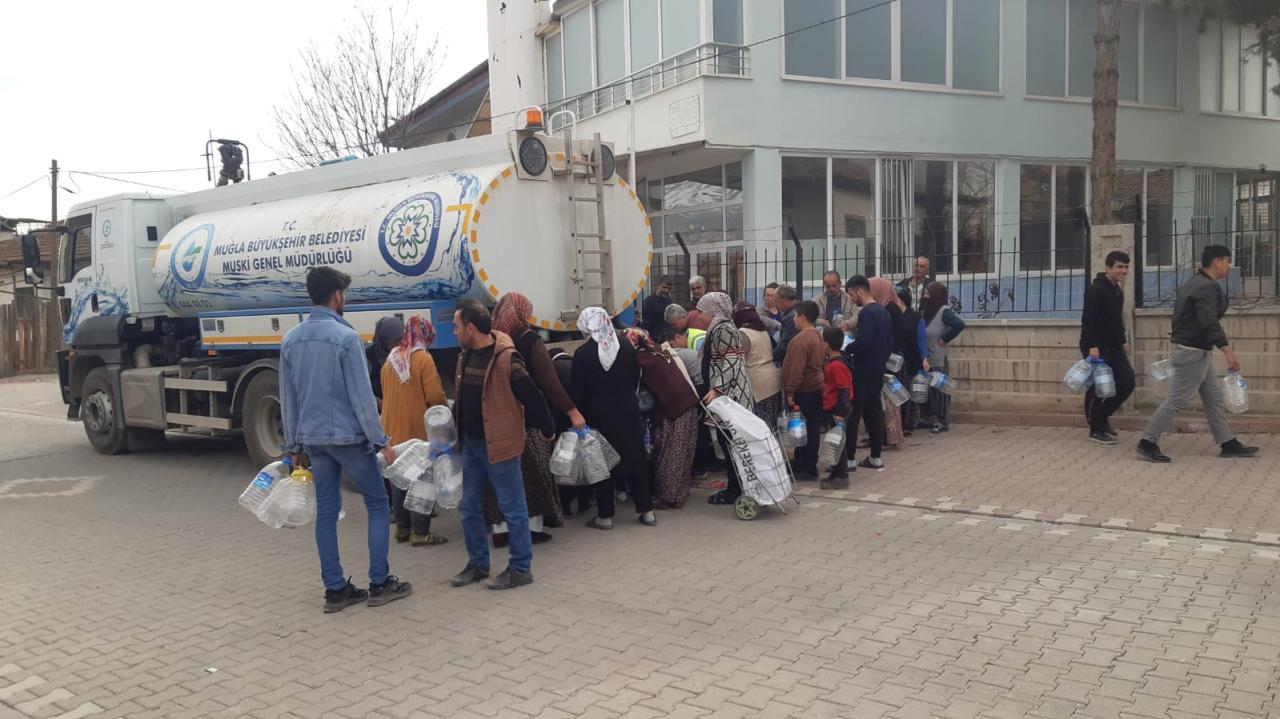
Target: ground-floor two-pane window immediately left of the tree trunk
[{"x": 1054, "y": 226}]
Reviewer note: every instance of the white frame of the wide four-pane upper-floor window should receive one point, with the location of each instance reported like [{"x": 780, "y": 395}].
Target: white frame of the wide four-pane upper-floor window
[{"x": 895, "y": 81}]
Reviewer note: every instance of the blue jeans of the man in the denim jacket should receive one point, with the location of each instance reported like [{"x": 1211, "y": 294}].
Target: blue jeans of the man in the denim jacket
[{"x": 328, "y": 462}]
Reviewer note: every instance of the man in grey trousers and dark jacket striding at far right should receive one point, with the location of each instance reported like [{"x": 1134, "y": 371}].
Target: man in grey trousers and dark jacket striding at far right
[{"x": 1197, "y": 331}]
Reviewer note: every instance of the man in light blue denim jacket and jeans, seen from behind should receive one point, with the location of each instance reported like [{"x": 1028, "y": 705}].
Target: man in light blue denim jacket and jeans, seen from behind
[{"x": 331, "y": 424}]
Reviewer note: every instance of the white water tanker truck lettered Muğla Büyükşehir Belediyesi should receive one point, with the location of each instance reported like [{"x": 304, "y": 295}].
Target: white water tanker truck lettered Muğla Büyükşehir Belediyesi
[{"x": 175, "y": 308}]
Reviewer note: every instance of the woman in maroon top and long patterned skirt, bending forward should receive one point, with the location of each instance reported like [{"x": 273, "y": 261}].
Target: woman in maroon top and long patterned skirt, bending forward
[{"x": 676, "y": 416}]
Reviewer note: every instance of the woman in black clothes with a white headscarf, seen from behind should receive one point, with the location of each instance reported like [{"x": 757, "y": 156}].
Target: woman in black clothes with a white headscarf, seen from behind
[{"x": 604, "y": 383}]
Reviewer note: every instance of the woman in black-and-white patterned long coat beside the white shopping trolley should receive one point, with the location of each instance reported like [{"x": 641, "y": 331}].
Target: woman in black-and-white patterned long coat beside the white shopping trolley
[{"x": 725, "y": 374}]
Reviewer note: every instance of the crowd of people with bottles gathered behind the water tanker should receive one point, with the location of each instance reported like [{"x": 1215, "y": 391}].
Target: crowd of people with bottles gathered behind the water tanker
[{"x": 642, "y": 388}]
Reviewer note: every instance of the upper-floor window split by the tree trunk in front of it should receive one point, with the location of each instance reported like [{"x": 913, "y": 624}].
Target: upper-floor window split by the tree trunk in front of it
[{"x": 1060, "y": 51}]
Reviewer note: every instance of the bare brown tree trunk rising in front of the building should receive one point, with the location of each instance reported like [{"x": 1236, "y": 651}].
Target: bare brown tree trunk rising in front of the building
[{"x": 1107, "y": 79}]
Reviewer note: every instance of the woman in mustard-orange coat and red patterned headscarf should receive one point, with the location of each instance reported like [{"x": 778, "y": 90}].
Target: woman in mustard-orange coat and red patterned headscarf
[{"x": 410, "y": 387}]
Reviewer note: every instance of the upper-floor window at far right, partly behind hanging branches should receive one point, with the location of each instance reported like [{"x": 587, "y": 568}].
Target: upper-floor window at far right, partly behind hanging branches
[{"x": 1237, "y": 74}]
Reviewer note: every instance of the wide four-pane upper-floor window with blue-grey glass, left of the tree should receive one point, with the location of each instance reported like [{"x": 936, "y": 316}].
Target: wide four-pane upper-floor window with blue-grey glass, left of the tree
[{"x": 943, "y": 43}]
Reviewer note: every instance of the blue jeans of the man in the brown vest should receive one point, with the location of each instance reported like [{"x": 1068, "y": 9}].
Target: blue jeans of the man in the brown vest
[{"x": 509, "y": 486}]
